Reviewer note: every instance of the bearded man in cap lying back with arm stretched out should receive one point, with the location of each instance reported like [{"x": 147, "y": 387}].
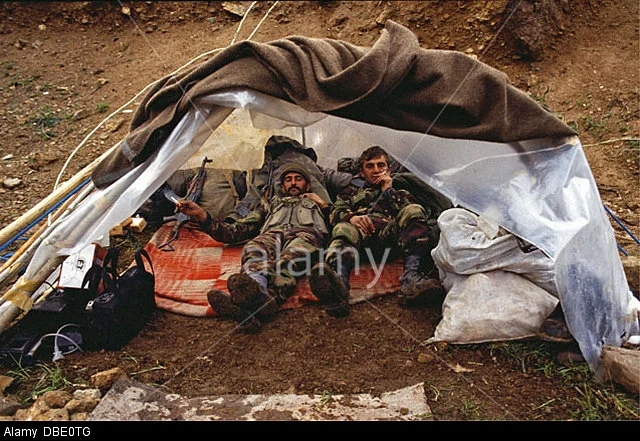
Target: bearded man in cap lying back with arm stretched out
[{"x": 292, "y": 229}]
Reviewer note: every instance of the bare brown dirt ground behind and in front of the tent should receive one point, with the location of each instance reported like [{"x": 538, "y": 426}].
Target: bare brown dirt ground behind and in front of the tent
[{"x": 64, "y": 67}]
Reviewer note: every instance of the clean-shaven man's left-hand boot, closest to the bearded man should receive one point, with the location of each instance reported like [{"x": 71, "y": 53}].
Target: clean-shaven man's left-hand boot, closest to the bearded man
[{"x": 331, "y": 287}]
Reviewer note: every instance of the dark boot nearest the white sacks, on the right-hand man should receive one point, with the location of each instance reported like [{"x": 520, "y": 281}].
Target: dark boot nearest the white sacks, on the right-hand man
[{"x": 415, "y": 287}]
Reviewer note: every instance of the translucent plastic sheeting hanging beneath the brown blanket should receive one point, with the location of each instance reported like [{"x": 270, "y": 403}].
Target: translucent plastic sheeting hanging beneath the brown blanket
[{"x": 541, "y": 190}]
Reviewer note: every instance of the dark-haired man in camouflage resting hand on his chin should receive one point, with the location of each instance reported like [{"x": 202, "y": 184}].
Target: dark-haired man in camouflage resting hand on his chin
[{"x": 377, "y": 217}]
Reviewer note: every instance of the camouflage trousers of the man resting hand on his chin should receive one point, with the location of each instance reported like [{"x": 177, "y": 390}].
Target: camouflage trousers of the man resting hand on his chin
[{"x": 410, "y": 232}]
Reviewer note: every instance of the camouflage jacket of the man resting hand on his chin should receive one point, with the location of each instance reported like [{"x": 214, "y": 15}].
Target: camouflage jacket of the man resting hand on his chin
[{"x": 361, "y": 199}]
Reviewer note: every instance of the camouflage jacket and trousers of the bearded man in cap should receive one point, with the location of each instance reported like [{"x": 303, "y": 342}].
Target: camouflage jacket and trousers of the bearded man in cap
[{"x": 291, "y": 232}]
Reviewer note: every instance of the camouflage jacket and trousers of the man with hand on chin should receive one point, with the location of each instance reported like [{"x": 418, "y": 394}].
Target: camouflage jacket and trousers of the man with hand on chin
[{"x": 401, "y": 224}]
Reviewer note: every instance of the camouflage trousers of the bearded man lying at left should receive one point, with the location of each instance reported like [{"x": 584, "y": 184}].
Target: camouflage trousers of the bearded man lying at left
[{"x": 282, "y": 255}]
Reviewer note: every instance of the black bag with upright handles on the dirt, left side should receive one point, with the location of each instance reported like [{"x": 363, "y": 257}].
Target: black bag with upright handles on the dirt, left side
[{"x": 123, "y": 306}]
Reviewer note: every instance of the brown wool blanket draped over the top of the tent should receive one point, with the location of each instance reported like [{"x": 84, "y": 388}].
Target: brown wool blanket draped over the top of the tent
[{"x": 394, "y": 83}]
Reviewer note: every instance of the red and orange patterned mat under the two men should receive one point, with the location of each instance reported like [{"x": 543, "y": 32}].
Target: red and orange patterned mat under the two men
[{"x": 199, "y": 263}]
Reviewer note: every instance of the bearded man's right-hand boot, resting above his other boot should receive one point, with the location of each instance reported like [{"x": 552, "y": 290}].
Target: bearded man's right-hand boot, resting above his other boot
[{"x": 250, "y": 292}]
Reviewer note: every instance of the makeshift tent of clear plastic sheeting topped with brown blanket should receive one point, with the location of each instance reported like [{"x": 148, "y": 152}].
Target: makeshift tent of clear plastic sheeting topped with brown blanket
[{"x": 453, "y": 121}]
